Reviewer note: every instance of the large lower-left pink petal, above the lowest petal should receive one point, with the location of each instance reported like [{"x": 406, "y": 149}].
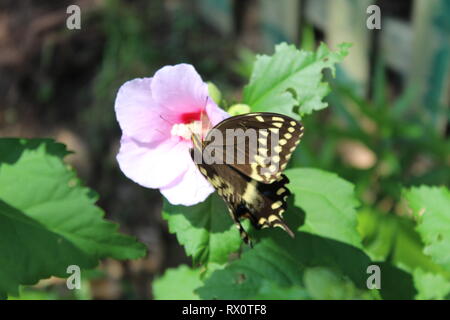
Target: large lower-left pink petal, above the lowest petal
[{"x": 153, "y": 165}]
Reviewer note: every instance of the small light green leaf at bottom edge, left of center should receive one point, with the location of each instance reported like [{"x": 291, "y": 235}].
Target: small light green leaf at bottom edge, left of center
[{"x": 177, "y": 284}]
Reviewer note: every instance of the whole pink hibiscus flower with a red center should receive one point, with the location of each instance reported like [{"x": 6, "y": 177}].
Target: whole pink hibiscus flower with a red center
[{"x": 157, "y": 116}]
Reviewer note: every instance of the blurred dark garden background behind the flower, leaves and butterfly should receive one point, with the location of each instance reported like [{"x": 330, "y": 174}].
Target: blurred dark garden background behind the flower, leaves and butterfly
[{"x": 387, "y": 124}]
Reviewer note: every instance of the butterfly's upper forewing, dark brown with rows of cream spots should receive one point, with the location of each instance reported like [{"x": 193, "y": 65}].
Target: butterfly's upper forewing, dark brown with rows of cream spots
[{"x": 265, "y": 156}]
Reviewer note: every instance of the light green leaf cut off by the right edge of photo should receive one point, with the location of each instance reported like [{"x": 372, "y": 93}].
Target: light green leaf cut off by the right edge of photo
[{"x": 431, "y": 207}]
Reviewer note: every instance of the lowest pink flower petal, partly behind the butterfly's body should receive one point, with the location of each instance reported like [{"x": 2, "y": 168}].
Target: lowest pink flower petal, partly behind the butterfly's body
[{"x": 188, "y": 190}]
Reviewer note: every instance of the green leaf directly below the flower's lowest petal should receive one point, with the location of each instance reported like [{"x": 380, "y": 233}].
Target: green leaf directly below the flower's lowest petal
[{"x": 205, "y": 230}]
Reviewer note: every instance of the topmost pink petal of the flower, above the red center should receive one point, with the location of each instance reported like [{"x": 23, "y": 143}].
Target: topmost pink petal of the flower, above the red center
[{"x": 179, "y": 88}]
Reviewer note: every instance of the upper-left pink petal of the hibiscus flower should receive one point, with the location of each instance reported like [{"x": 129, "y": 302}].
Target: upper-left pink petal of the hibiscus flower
[{"x": 138, "y": 114}]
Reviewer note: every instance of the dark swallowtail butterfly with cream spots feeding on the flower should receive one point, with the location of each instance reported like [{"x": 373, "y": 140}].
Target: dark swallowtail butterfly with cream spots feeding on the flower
[{"x": 254, "y": 188}]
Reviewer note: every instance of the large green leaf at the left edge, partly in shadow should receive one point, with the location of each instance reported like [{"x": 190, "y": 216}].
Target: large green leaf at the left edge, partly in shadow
[{"x": 48, "y": 220}]
